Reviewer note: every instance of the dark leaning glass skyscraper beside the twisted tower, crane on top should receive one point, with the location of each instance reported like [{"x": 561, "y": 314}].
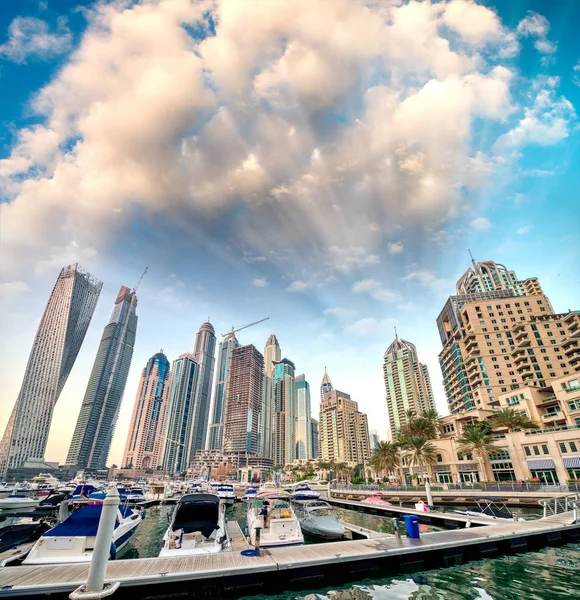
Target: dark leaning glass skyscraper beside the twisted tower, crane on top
[{"x": 95, "y": 426}]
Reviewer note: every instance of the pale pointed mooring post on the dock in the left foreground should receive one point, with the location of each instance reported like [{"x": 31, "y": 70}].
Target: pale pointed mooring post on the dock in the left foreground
[{"x": 95, "y": 586}]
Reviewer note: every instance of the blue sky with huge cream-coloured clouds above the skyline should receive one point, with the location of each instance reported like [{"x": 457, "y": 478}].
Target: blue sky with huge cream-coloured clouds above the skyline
[{"x": 326, "y": 164}]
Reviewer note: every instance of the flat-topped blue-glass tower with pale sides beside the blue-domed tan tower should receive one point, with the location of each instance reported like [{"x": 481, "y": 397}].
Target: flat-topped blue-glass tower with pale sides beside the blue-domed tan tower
[{"x": 179, "y": 429}]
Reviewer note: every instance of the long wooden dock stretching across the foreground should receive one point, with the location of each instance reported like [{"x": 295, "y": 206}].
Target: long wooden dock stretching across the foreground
[{"x": 229, "y": 574}]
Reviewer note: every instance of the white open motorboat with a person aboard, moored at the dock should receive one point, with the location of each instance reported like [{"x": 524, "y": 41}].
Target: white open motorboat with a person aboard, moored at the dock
[{"x": 278, "y": 523}]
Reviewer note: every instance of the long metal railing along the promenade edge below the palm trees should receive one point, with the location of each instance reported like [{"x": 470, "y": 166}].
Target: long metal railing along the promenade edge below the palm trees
[{"x": 507, "y": 486}]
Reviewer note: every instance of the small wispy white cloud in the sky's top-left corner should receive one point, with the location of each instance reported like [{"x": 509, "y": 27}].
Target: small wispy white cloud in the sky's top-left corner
[{"x": 30, "y": 37}]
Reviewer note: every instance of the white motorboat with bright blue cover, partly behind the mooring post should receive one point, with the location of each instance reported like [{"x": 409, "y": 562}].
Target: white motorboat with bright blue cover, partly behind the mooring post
[{"x": 73, "y": 540}]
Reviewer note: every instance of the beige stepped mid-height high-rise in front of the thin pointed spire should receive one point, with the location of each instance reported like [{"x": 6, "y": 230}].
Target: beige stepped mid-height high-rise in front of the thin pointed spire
[{"x": 343, "y": 431}]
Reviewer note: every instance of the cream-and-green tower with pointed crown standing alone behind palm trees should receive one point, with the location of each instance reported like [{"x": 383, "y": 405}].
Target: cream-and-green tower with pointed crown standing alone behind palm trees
[{"x": 407, "y": 383}]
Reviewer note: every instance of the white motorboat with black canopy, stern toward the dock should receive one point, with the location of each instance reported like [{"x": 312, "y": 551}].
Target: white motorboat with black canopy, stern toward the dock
[{"x": 198, "y": 526}]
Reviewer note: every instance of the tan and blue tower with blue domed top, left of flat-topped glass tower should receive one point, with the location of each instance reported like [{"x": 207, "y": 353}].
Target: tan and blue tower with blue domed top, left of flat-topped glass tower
[{"x": 149, "y": 413}]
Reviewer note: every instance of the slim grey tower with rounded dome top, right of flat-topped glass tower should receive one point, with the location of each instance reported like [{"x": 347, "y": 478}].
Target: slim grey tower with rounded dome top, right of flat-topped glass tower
[{"x": 204, "y": 356}]
